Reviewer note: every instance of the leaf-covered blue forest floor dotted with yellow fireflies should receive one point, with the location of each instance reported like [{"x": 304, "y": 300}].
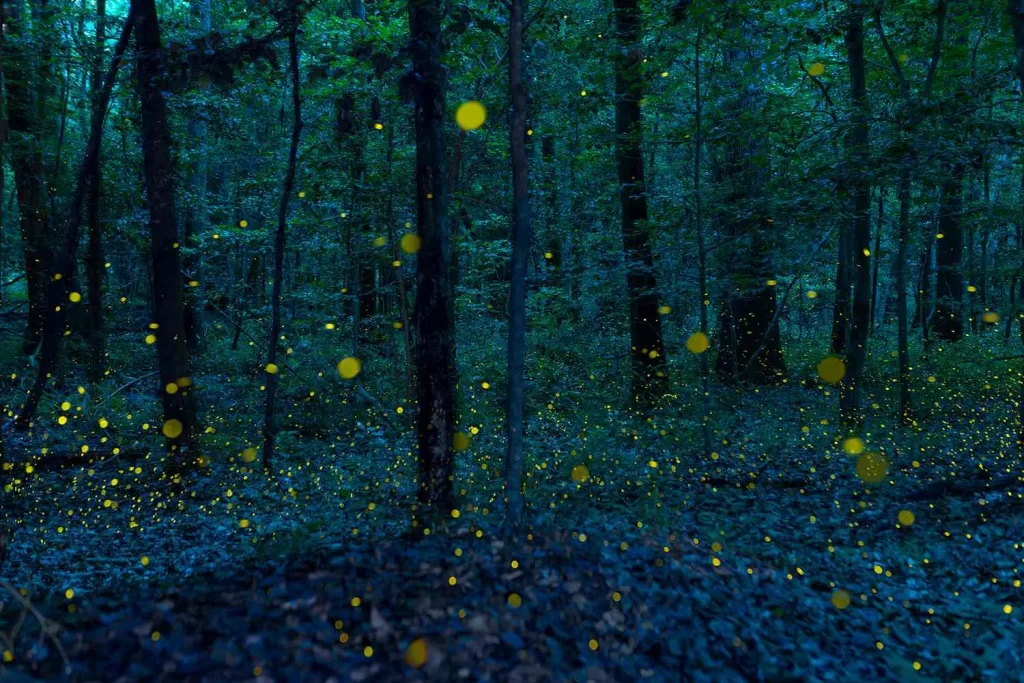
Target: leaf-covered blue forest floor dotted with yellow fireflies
[{"x": 657, "y": 565}]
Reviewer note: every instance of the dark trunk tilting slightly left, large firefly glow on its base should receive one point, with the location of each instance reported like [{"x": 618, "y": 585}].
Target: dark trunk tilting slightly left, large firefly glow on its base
[{"x": 173, "y": 352}]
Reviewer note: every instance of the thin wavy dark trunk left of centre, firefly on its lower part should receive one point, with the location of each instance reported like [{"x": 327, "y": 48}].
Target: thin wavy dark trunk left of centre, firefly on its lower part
[{"x": 270, "y": 430}]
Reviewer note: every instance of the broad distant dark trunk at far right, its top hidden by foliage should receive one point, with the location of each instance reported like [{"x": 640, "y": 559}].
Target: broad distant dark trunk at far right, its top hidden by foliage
[{"x": 948, "y": 323}]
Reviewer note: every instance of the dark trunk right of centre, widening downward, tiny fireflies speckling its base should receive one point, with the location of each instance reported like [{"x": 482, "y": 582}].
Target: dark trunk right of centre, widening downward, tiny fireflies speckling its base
[{"x": 651, "y": 375}]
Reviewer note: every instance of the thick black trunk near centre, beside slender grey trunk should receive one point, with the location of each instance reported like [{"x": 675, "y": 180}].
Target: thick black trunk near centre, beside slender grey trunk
[{"x": 436, "y": 334}]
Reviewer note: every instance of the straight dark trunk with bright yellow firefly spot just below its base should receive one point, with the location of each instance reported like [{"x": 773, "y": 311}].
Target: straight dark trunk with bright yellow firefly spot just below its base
[{"x": 857, "y": 352}]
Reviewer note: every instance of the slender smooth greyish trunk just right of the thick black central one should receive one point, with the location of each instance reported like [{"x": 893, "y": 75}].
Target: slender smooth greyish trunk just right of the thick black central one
[{"x": 522, "y": 230}]
